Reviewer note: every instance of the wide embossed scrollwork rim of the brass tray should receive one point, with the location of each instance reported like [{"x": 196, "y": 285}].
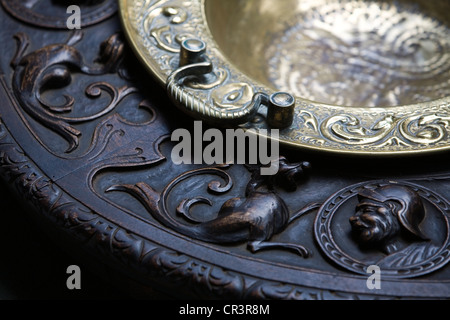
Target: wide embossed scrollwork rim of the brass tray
[{"x": 390, "y": 131}]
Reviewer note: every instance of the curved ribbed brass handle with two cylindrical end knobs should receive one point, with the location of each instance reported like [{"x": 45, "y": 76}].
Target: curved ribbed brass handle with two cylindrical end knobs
[{"x": 193, "y": 62}]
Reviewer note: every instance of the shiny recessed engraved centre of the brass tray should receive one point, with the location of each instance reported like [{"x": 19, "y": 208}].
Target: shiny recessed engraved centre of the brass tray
[{"x": 347, "y": 53}]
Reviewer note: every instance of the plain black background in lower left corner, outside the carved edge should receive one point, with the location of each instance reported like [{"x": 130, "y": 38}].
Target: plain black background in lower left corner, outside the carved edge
[{"x": 33, "y": 266}]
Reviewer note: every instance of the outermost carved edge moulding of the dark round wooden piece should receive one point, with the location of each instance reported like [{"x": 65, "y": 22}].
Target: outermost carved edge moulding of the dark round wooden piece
[{"x": 149, "y": 259}]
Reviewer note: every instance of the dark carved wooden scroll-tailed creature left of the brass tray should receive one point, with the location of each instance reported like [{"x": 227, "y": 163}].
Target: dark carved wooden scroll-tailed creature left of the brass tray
[{"x": 50, "y": 67}]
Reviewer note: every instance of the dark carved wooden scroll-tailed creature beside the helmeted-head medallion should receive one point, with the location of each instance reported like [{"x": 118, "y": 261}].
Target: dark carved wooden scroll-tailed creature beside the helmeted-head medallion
[{"x": 254, "y": 218}]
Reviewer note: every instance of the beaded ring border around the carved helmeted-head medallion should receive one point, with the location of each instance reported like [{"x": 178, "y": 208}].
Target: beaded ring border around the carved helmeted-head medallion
[{"x": 329, "y": 245}]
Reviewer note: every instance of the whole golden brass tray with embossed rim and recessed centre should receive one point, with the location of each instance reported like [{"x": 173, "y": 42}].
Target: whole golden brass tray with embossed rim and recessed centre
[{"x": 368, "y": 77}]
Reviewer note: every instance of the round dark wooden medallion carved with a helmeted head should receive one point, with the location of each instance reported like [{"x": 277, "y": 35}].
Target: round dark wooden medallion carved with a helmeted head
[{"x": 398, "y": 226}]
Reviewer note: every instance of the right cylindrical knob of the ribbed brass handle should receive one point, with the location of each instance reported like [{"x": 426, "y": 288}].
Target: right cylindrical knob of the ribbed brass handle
[{"x": 280, "y": 113}]
